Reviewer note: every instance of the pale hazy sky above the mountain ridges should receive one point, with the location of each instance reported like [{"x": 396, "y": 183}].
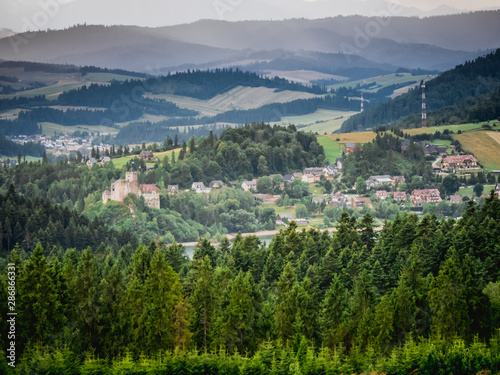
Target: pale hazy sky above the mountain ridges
[{"x": 21, "y": 15}]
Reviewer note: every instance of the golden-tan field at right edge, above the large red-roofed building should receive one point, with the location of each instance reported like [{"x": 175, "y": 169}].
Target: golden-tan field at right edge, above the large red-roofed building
[{"x": 484, "y": 145}]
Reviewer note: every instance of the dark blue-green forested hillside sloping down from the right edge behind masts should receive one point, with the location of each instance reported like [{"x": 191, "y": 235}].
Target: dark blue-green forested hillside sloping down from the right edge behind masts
[{"x": 474, "y": 79}]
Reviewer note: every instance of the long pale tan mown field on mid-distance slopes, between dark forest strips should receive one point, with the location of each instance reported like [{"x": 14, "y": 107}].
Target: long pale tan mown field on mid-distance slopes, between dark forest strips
[{"x": 239, "y": 98}]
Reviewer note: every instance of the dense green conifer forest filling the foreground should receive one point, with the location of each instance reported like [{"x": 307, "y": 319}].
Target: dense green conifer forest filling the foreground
[{"x": 421, "y": 296}]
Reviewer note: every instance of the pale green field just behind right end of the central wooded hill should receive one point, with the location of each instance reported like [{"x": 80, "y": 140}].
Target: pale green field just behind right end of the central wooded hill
[{"x": 322, "y": 121}]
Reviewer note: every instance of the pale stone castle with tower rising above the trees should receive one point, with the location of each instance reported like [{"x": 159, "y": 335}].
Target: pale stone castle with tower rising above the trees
[{"x": 123, "y": 187}]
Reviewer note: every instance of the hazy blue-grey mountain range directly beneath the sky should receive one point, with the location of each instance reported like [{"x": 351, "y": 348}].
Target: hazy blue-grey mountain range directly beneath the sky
[{"x": 435, "y": 43}]
